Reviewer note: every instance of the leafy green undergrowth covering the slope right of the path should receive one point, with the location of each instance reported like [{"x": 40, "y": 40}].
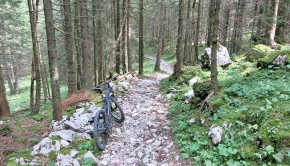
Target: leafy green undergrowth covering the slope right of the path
[{"x": 252, "y": 107}]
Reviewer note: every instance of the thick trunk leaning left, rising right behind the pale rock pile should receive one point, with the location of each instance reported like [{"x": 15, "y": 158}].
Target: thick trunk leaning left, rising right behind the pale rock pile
[{"x": 52, "y": 58}]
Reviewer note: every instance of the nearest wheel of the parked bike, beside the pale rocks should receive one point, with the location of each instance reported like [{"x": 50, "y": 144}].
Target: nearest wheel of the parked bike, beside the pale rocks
[{"x": 101, "y": 130}]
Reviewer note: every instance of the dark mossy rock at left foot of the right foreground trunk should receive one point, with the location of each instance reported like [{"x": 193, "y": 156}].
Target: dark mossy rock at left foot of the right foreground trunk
[{"x": 202, "y": 89}]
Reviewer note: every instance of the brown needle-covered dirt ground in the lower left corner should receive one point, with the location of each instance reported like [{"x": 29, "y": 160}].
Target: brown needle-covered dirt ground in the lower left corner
[{"x": 19, "y": 133}]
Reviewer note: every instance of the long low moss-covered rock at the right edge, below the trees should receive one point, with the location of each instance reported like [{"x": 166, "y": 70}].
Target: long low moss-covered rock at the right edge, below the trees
[{"x": 268, "y": 60}]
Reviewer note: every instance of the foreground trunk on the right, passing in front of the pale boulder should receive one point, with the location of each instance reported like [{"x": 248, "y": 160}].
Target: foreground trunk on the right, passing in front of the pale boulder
[{"x": 215, "y": 30}]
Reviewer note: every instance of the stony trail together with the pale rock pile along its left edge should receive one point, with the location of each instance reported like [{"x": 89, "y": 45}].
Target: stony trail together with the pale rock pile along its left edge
[{"x": 144, "y": 138}]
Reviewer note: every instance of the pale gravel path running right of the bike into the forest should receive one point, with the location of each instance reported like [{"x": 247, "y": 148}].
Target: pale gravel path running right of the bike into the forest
[{"x": 144, "y": 138}]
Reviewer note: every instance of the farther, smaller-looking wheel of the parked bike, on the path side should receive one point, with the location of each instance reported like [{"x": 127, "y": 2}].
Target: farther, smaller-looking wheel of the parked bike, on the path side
[{"x": 116, "y": 111}]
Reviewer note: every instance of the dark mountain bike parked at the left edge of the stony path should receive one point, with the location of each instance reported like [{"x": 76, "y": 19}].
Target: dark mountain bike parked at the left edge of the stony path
[{"x": 103, "y": 118}]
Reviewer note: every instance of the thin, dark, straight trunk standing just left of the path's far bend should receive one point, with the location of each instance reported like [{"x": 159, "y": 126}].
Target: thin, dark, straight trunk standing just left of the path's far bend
[{"x": 141, "y": 44}]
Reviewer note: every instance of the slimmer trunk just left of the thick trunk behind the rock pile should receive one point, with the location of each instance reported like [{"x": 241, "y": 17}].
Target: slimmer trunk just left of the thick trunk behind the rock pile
[{"x": 33, "y": 13}]
